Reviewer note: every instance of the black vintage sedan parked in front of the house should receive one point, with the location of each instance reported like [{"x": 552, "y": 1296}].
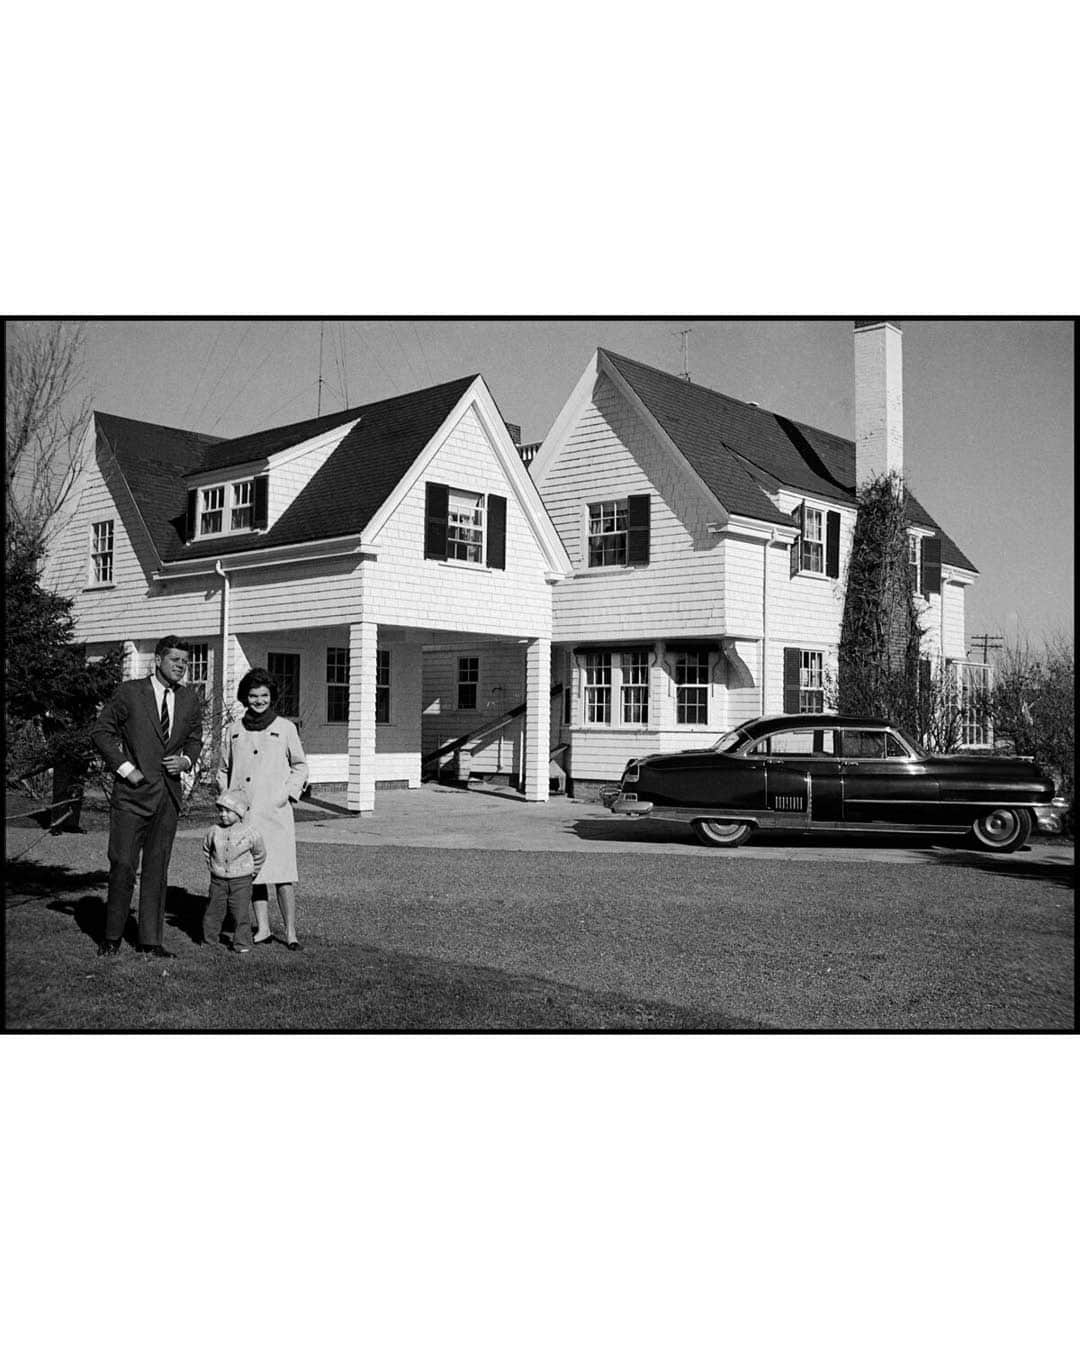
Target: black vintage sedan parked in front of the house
[{"x": 838, "y": 774}]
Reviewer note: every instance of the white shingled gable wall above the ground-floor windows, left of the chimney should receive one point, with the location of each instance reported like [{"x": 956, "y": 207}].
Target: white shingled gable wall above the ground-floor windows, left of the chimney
[{"x": 611, "y": 454}]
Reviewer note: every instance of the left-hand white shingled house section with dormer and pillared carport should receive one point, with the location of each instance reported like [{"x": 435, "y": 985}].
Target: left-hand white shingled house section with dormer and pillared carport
[{"x": 364, "y": 558}]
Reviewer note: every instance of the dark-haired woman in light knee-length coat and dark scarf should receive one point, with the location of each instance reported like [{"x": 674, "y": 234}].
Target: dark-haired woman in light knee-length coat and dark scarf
[{"x": 264, "y": 757}]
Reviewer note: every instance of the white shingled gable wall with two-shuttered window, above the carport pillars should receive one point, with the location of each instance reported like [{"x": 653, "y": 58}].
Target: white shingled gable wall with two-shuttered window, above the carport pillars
[{"x": 404, "y": 588}]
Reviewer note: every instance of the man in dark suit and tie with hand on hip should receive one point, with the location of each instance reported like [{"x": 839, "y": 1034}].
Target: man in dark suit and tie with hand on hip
[{"x": 149, "y": 734}]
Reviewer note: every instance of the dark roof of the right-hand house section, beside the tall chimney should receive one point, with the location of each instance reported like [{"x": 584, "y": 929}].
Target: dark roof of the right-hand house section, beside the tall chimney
[{"x": 743, "y": 452}]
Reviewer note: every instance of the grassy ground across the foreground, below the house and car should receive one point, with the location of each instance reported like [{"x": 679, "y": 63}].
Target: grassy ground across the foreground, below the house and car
[{"x": 408, "y": 939}]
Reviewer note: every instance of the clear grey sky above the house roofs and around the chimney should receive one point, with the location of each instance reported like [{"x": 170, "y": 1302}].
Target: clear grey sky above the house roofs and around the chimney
[{"x": 989, "y": 406}]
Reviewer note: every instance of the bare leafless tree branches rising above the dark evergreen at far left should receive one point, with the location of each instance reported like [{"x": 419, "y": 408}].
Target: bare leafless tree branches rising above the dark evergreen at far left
[{"x": 45, "y": 422}]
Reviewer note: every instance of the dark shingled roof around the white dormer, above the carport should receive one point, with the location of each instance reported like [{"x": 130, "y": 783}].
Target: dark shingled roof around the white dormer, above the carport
[{"x": 341, "y": 499}]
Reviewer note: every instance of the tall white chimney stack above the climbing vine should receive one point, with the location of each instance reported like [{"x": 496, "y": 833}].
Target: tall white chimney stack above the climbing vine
[{"x": 878, "y": 399}]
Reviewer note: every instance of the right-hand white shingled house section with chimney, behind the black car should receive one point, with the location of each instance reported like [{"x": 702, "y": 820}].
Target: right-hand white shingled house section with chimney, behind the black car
[{"x": 709, "y": 541}]
